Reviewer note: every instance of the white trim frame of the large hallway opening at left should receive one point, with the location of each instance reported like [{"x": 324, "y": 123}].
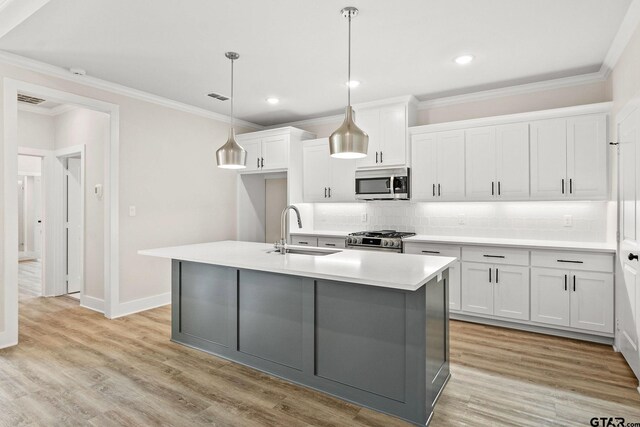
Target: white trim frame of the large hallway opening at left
[{"x": 9, "y": 253}]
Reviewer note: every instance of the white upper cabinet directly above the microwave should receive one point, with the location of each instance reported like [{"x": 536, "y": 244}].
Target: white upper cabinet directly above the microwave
[{"x": 387, "y": 127}]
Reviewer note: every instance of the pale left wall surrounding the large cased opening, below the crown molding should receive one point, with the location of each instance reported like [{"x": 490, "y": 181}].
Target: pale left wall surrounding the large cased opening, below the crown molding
[{"x": 167, "y": 169}]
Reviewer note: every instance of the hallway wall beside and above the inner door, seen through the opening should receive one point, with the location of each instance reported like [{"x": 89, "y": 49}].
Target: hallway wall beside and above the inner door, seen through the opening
[{"x": 90, "y": 128}]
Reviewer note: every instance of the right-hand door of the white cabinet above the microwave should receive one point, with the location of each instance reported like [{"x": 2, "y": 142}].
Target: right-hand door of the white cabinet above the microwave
[{"x": 393, "y": 141}]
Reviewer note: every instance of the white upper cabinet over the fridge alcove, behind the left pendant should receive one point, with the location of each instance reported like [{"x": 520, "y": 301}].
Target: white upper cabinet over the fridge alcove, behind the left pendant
[{"x": 272, "y": 150}]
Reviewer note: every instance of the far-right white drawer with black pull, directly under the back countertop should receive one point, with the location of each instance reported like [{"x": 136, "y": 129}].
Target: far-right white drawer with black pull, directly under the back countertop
[{"x": 573, "y": 260}]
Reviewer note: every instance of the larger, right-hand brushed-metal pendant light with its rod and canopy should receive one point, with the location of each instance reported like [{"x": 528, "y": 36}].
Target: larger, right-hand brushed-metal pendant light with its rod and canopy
[{"x": 349, "y": 141}]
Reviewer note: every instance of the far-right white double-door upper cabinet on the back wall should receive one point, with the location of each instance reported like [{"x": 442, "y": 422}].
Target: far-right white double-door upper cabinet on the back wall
[{"x": 569, "y": 158}]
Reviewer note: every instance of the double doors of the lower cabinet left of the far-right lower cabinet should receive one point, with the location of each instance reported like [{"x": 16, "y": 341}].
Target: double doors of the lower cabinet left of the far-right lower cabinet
[{"x": 494, "y": 289}]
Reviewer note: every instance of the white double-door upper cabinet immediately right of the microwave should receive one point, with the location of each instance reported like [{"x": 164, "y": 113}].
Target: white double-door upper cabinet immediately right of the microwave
[{"x": 438, "y": 166}]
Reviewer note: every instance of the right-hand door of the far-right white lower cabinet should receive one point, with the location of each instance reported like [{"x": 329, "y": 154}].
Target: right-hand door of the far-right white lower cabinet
[{"x": 592, "y": 301}]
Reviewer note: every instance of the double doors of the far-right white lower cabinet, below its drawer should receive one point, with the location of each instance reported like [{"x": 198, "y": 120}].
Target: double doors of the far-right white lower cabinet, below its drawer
[{"x": 577, "y": 299}]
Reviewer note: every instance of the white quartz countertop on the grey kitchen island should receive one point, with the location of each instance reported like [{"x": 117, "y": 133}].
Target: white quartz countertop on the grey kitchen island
[{"x": 389, "y": 270}]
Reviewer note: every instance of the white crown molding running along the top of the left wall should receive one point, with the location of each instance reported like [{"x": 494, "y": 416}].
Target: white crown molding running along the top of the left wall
[{"x": 61, "y": 73}]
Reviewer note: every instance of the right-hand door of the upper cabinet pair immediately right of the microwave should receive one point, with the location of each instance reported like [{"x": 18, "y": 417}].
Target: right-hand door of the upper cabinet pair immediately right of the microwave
[{"x": 450, "y": 165}]
